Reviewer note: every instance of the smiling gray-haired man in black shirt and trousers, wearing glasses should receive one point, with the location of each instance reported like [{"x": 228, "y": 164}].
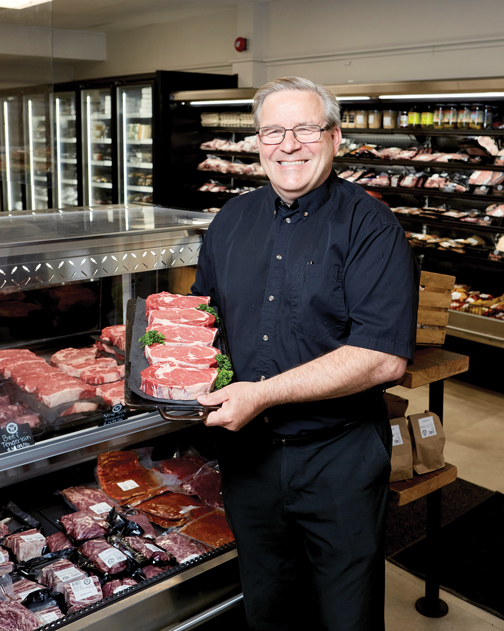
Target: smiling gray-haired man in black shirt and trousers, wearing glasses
[{"x": 318, "y": 292}]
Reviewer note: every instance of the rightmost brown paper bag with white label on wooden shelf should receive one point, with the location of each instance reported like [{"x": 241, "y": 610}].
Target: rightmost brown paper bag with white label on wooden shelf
[{"x": 428, "y": 442}]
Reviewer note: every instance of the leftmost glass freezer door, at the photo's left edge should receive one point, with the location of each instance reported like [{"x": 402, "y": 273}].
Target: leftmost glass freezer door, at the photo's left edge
[{"x": 14, "y": 155}]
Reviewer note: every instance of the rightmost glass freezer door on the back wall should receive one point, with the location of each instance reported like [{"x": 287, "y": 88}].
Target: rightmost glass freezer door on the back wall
[{"x": 135, "y": 143}]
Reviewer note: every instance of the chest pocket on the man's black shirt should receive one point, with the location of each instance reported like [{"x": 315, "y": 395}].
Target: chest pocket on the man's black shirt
[{"x": 317, "y": 301}]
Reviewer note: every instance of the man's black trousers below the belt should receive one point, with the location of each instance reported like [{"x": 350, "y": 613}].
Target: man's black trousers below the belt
[{"x": 309, "y": 524}]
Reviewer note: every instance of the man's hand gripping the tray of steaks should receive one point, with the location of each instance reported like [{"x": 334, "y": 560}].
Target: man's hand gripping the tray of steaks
[{"x": 241, "y": 402}]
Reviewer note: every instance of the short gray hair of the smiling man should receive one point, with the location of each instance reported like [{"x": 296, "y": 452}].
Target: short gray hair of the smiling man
[{"x": 331, "y": 105}]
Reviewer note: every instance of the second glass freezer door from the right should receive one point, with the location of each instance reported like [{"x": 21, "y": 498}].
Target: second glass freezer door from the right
[{"x": 97, "y": 146}]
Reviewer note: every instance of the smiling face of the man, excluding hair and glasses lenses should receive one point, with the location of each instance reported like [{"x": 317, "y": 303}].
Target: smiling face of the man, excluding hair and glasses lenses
[{"x": 295, "y": 168}]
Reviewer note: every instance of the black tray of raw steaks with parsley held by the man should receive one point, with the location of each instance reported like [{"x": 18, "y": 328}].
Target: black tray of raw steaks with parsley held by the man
[{"x": 189, "y": 359}]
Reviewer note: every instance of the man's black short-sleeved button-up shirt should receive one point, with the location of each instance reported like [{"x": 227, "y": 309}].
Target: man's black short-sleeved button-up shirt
[{"x": 296, "y": 282}]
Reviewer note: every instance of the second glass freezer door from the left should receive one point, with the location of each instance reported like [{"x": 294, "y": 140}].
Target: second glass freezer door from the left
[{"x": 38, "y": 162}]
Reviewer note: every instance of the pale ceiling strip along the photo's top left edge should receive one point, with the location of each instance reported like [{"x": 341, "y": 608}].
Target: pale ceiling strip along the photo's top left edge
[{"x": 114, "y": 15}]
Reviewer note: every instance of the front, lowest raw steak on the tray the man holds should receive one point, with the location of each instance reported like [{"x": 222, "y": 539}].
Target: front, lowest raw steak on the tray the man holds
[{"x": 173, "y": 382}]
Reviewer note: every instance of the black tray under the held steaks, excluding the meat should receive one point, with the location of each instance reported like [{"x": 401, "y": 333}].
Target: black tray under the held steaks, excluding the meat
[{"x": 135, "y": 362}]
